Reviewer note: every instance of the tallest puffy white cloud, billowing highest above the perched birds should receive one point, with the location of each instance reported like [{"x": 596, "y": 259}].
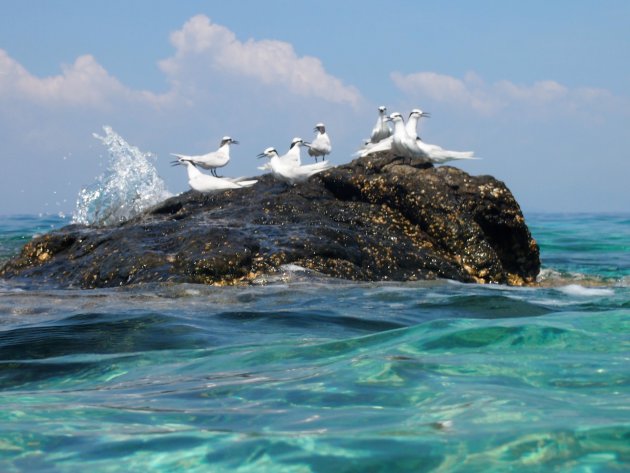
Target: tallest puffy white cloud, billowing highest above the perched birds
[{"x": 271, "y": 62}]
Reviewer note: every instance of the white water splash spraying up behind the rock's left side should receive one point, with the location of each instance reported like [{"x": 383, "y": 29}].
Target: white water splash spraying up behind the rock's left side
[{"x": 129, "y": 185}]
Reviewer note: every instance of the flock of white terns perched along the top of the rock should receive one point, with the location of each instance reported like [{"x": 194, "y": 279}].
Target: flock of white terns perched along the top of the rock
[{"x": 403, "y": 140}]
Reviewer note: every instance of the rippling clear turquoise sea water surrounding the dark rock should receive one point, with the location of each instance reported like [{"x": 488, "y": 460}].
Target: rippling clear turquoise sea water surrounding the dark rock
[{"x": 308, "y": 374}]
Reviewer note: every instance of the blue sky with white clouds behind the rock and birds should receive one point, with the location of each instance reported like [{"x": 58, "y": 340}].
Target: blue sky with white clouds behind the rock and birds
[{"x": 538, "y": 89}]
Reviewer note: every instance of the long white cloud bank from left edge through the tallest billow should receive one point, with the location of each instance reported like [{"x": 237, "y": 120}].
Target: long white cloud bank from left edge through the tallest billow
[{"x": 201, "y": 47}]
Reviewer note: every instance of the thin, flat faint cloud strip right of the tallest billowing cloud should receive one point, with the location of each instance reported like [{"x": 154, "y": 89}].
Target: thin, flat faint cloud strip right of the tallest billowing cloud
[{"x": 472, "y": 92}]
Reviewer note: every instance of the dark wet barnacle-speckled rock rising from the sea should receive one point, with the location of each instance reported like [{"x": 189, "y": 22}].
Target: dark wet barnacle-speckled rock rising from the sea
[{"x": 375, "y": 218}]
